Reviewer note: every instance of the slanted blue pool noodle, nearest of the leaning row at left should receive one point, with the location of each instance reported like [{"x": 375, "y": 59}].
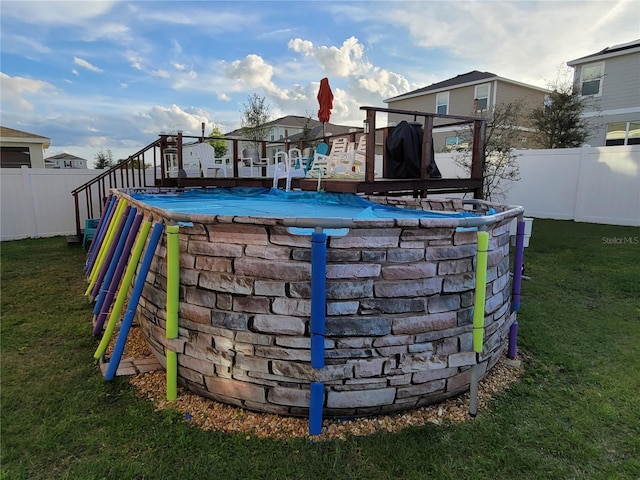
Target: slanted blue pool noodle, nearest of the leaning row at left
[{"x": 118, "y": 349}]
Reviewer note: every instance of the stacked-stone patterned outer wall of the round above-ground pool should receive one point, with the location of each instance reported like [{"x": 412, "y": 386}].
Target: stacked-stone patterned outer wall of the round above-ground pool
[{"x": 399, "y": 312}]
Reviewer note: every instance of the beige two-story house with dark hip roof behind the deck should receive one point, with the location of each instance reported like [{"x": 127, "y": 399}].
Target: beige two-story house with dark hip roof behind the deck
[{"x": 470, "y": 94}]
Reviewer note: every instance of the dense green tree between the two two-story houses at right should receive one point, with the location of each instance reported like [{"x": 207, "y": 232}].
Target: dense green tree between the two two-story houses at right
[{"x": 558, "y": 123}]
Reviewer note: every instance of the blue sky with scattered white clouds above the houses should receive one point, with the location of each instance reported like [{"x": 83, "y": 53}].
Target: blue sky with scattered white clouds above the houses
[{"x": 94, "y": 75}]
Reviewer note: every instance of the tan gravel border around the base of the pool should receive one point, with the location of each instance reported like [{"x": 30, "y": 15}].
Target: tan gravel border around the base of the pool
[{"x": 208, "y": 414}]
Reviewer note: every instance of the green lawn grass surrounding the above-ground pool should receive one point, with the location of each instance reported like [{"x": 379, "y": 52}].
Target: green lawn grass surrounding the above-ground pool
[{"x": 574, "y": 415}]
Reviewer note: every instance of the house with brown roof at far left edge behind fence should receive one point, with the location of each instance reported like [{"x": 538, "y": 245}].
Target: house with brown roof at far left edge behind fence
[{"x": 18, "y": 148}]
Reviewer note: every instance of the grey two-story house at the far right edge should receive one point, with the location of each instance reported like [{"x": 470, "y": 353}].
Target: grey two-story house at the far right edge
[{"x": 609, "y": 82}]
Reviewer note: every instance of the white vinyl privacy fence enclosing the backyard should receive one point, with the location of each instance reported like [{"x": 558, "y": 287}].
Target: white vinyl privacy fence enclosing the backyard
[{"x": 597, "y": 185}]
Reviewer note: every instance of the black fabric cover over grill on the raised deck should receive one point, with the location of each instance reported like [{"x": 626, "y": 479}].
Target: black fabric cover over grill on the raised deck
[{"x": 403, "y": 151}]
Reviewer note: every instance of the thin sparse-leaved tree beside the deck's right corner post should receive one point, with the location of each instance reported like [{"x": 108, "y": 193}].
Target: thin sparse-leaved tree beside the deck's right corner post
[{"x": 504, "y": 132}]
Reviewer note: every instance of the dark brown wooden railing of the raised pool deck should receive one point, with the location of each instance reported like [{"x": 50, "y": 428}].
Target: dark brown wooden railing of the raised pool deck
[{"x": 133, "y": 172}]
